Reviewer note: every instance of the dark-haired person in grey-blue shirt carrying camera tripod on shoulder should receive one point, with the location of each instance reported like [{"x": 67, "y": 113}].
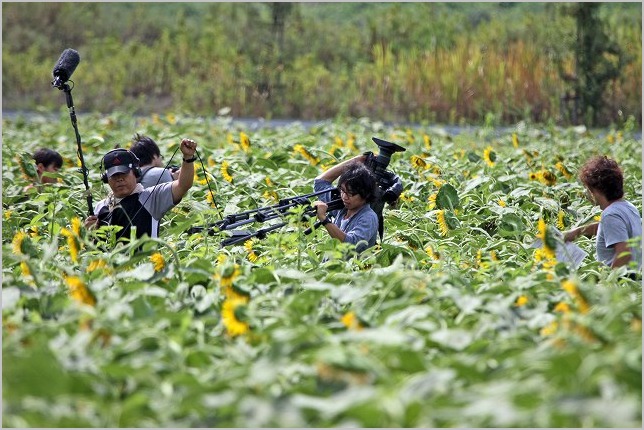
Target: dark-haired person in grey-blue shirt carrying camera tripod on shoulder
[{"x": 356, "y": 223}]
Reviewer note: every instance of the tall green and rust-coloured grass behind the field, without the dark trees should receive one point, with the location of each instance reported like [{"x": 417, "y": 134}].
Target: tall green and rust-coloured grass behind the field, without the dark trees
[{"x": 463, "y": 76}]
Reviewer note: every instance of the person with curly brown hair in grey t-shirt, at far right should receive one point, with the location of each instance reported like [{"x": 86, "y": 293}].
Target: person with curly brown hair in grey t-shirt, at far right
[{"x": 619, "y": 231}]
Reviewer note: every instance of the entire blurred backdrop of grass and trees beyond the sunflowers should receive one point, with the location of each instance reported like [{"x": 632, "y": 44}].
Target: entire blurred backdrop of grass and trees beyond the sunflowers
[{"x": 454, "y": 63}]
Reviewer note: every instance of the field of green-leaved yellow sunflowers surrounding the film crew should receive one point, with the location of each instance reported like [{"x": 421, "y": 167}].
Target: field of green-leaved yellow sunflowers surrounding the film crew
[{"x": 454, "y": 319}]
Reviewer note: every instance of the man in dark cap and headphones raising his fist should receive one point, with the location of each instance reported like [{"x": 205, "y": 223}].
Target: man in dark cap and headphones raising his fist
[{"x": 129, "y": 203}]
